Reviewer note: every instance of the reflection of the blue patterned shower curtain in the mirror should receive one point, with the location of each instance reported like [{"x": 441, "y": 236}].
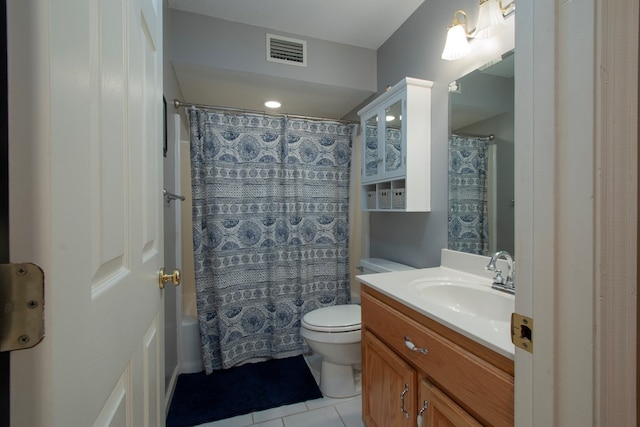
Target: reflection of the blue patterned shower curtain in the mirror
[{"x": 468, "y": 206}]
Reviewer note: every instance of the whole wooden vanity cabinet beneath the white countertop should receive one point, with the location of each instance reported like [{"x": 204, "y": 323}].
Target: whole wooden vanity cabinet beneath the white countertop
[{"x": 412, "y": 362}]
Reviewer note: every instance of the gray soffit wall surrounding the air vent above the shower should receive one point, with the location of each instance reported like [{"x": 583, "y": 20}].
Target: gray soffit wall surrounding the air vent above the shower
[{"x": 242, "y": 48}]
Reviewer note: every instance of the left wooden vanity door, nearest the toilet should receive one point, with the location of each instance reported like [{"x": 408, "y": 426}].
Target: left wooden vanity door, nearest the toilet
[{"x": 388, "y": 386}]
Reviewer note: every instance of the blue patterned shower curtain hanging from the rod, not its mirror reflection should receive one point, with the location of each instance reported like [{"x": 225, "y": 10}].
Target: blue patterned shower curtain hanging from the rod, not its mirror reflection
[{"x": 270, "y": 210}]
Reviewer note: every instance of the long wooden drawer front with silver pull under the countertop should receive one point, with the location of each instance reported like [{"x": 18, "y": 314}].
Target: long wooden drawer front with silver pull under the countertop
[{"x": 476, "y": 385}]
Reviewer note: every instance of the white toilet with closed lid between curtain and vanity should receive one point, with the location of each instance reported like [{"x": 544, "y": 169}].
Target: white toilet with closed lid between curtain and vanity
[{"x": 334, "y": 333}]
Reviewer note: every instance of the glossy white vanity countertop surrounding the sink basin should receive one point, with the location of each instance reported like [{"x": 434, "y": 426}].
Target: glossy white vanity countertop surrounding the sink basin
[{"x": 400, "y": 285}]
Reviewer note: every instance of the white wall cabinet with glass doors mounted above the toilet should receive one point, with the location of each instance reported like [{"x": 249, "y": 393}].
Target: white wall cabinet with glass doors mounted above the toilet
[{"x": 396, "y": 153}]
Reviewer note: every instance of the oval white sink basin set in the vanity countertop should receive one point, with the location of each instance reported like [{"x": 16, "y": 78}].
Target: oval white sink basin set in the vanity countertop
[{"x": 466, "y": 297}]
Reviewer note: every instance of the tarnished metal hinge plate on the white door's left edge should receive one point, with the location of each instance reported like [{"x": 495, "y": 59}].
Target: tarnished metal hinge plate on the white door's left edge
[{"x": 21, "y": 306}]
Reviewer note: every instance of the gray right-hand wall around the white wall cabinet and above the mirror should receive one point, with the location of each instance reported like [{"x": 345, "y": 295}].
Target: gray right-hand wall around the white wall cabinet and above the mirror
[{"x": 414, "y": 50}]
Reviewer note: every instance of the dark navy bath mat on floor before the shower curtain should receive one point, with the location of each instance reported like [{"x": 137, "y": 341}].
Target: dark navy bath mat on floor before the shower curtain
[{"x": 201, "y": 398}]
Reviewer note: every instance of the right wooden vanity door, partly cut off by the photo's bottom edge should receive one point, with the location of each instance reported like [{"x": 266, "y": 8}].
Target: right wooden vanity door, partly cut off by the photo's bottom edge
[{"x": 440, "y": 410}]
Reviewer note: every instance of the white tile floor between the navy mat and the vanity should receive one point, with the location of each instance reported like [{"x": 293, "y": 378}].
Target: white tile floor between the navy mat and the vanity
[{"x": 324, "y": 412}]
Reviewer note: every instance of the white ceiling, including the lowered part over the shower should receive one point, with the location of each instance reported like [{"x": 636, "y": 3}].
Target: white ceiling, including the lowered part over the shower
[{"x": 362, "y": 23}]
